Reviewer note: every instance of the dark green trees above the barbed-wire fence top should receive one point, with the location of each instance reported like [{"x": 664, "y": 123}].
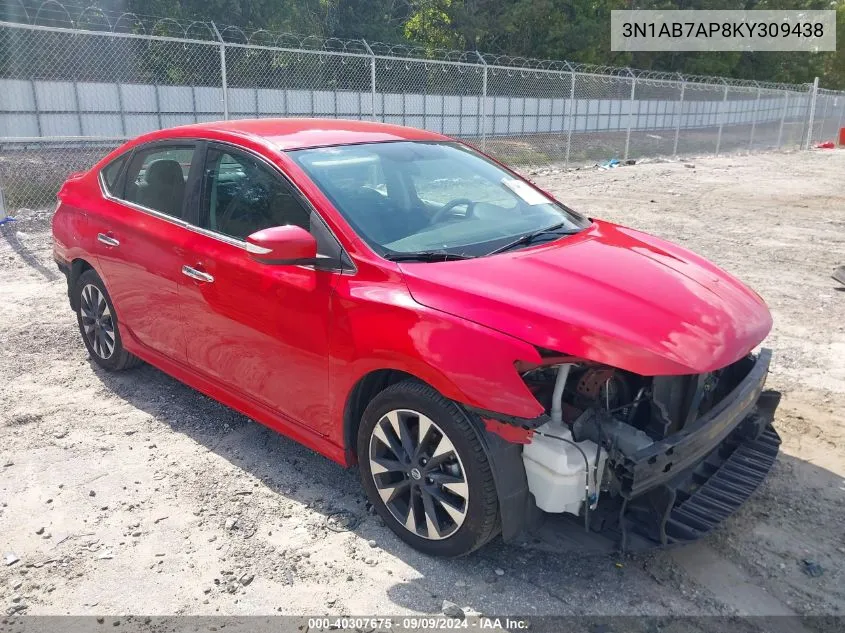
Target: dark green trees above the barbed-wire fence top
[{"x": 575, "y": 30}]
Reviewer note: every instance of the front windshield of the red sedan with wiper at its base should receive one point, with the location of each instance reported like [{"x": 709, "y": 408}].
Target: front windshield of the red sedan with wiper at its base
[{"x": 414, "y": 197}]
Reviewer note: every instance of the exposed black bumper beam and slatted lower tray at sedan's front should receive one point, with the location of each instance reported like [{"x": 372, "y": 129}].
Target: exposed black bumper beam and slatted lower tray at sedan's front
[{"x": 681, "y": 488}]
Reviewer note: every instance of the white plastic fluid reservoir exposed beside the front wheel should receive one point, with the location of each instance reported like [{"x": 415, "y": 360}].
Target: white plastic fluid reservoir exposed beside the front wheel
[{"x": 556, "y": 471}]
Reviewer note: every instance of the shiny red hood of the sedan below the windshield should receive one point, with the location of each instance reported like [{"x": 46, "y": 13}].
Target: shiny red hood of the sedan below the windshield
[{"x": 608, "y": 294}]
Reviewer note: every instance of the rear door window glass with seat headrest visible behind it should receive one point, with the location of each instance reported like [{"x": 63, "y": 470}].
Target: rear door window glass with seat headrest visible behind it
[{"x": 156, "y": 178}]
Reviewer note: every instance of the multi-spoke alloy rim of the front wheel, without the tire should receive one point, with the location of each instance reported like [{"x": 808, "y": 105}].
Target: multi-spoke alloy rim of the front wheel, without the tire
[{"x": 418, "y": 474}]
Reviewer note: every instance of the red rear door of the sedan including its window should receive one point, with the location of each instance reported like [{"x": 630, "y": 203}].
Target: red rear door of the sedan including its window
[{"x": 140, "y": 234}]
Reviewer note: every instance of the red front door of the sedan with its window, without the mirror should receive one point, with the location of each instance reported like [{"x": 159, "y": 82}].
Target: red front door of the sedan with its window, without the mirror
[{"x": 260, "y": 330}]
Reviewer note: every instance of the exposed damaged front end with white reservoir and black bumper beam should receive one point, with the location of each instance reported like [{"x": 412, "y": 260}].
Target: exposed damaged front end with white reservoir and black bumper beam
[{"x": 642, "y": 461}]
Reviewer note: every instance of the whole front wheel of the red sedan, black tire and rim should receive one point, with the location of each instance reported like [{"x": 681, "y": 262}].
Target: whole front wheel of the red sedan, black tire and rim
[{"x": 447, "y": 475}]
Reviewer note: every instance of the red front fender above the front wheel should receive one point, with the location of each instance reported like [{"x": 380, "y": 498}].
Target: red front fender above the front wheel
[{"x": 383, "y": 328}]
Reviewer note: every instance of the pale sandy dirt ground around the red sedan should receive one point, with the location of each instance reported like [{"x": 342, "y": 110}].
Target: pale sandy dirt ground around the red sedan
[{"x": 131, "y": 493}]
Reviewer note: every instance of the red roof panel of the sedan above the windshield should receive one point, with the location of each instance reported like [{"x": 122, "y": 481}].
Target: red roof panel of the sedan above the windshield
[{"x": 288, "y": 134}]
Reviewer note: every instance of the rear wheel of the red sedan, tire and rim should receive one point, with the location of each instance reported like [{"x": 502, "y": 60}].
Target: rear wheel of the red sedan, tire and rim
[{"x": 98, "y": 324}]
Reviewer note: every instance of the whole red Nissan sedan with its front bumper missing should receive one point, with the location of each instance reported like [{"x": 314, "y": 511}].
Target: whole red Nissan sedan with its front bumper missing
[{"x": 492, "y": 360}]
